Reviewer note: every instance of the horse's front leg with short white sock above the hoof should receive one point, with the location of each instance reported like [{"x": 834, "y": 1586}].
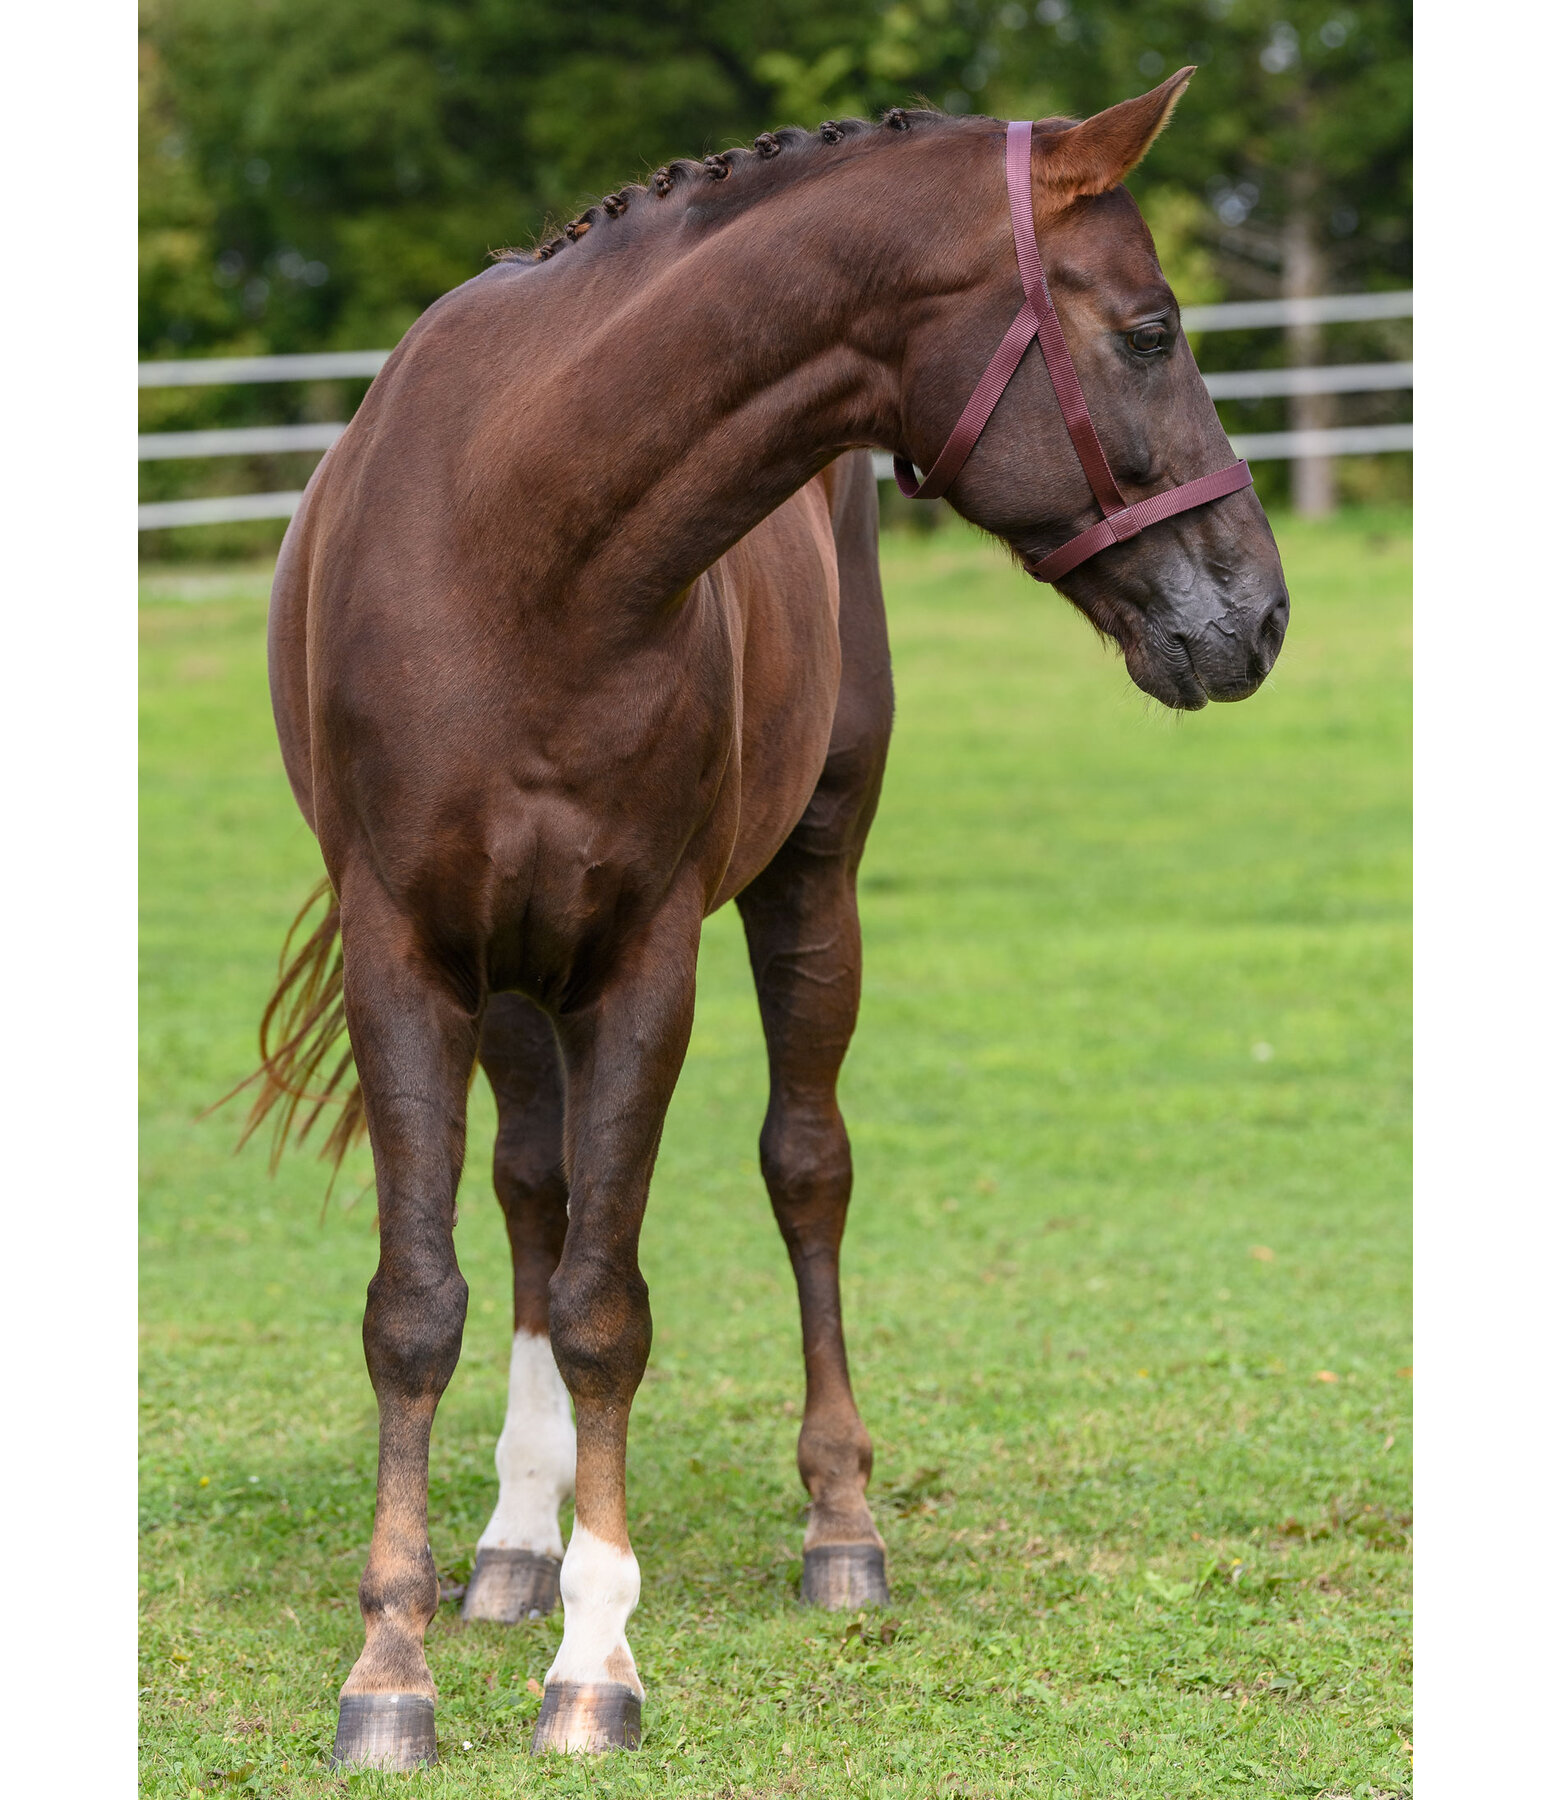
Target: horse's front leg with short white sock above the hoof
[{"x": 622, "y": 1052}]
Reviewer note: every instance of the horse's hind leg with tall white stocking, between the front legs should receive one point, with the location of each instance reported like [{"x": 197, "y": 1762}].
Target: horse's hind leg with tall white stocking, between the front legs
[{"x": 518, "y": 1567}]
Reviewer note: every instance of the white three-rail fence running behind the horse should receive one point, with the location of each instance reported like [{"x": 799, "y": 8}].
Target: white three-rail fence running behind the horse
[{"x": 1230, "y": 384}]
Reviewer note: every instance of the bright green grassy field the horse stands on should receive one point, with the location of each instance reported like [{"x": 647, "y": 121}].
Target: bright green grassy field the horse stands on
[{"x": 1126, "y": 1275}]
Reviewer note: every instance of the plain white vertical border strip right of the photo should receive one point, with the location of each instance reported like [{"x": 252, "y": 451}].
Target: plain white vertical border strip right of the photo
[{"x": 1482, "y": 930}]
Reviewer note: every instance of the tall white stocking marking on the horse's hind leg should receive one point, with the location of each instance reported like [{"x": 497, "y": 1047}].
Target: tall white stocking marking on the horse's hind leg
[{"x": 536, "y": 1457}]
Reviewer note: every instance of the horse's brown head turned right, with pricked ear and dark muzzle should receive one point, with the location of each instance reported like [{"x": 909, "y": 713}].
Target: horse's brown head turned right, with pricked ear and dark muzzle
[{"x": 1198, "y": 602}]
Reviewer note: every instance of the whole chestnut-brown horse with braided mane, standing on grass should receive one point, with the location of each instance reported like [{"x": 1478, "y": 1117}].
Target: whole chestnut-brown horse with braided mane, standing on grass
[{"x": 577, "y": 636}]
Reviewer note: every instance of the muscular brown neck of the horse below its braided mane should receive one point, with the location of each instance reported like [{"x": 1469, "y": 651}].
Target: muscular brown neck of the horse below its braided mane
[{"x": 698, "y": 384}]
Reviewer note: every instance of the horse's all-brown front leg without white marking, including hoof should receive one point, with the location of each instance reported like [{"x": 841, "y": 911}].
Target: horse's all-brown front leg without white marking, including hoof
[{"x": 415, "y": 1041}]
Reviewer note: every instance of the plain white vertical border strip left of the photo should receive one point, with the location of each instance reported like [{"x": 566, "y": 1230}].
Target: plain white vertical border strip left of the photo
[{"x": 68, "y": 1502}]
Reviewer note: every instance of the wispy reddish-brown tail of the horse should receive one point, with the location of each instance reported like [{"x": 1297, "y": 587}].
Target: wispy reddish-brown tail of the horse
[{"x": 305, "y": 1059}]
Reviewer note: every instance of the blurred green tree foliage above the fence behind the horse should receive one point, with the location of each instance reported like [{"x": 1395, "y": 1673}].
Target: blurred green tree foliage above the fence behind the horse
[{"x": 320, "y": 170}]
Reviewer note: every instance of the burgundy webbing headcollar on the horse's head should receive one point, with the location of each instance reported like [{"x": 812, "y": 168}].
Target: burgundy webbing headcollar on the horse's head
[{"x": 1038, "y": 318}]
